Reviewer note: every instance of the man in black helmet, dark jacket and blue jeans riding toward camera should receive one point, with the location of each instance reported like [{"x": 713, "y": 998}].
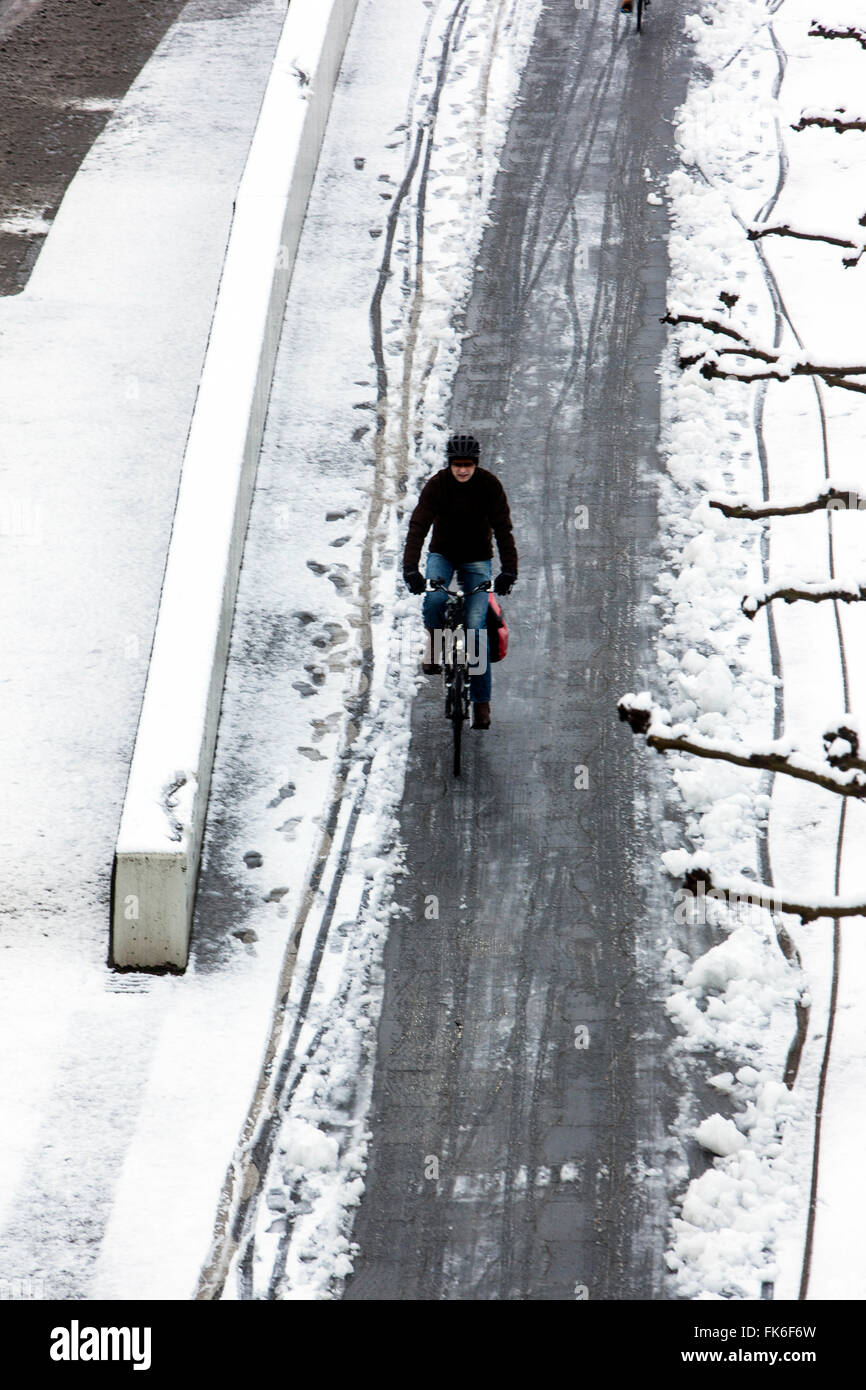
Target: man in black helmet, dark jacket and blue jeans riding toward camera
[{"x": 466, "y": 507}]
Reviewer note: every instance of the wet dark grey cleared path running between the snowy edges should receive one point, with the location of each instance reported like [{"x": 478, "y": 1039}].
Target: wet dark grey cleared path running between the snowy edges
[{"x": 521, "y": 1079}]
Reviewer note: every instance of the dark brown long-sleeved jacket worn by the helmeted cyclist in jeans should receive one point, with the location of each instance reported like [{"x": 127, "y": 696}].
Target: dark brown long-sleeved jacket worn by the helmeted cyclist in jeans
[{"x": 465, "y": 516}]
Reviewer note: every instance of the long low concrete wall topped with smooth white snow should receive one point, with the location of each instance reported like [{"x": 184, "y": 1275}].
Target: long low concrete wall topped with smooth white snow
[{"x": 163, "y": 819}]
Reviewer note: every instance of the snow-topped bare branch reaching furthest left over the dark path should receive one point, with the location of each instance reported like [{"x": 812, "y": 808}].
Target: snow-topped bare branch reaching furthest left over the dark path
[{"x": 646, "y": 718}]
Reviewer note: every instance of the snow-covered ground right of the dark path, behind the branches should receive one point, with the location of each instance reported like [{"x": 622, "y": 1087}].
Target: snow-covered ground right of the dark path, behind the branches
[{"x": 789, "y": 672}]
